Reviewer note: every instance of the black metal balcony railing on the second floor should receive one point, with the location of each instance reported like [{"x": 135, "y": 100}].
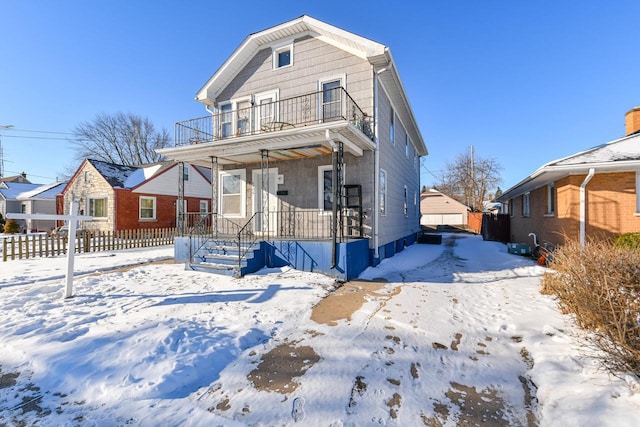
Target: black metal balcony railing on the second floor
[{"x": 319, "y": 107}]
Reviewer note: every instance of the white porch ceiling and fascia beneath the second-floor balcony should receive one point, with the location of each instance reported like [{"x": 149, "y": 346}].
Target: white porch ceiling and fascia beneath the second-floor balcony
[{"x": 289, "y": 144}]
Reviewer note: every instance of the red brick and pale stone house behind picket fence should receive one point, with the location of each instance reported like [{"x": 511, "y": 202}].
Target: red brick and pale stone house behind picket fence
[{"x": 123, "y": 197}]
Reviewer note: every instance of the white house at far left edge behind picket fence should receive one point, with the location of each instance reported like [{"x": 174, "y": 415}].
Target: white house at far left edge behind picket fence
[{"x": 17, "y": 197}]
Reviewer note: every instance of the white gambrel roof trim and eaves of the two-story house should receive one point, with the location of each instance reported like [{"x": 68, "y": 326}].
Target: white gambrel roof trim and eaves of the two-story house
[{"x": 378, "y": 55}]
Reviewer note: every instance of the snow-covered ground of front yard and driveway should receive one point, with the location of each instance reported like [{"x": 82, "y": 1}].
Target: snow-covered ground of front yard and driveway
[{"x": 437, "y": 335}]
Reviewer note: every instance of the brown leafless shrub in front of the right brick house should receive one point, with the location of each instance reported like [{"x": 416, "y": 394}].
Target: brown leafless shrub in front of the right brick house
[{"x": 600, "y": 285}]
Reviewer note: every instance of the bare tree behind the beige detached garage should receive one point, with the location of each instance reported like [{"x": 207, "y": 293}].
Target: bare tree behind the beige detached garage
[{"x": 469, "y": 179}]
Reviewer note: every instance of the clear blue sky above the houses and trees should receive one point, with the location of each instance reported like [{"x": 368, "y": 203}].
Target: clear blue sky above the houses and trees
[{"x": 523, "y": 82}]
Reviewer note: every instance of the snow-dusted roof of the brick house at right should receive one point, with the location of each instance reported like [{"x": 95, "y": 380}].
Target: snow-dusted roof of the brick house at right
[{"x": 620, "y": 155}]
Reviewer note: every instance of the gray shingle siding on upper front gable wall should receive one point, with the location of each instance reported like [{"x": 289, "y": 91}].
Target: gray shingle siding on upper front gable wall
[{"x": 313, "y": 60}]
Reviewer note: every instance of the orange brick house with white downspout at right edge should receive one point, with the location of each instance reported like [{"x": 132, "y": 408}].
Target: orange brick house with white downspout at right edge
[{"x": 589, "y": 195}]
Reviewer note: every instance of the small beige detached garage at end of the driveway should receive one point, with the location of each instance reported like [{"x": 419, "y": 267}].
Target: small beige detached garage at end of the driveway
[{"x": 439, "y": 209}]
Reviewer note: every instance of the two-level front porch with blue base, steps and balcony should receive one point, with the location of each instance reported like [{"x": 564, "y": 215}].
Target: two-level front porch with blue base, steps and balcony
[{"x": 253, "y": 224}]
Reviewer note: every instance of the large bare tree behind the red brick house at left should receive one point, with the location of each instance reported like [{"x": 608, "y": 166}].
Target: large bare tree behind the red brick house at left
[{"x": 125, "y": 139}]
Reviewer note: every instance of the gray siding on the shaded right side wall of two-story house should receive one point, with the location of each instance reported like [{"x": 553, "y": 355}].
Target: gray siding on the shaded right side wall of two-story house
[{"x": 400, "y": 172}]
